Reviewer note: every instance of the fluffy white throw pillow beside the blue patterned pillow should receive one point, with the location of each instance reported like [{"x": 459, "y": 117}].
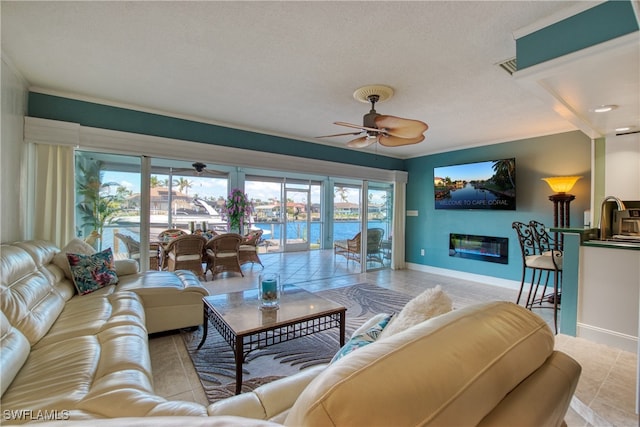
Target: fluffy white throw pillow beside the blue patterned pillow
[{"x": 432, "y": 302}]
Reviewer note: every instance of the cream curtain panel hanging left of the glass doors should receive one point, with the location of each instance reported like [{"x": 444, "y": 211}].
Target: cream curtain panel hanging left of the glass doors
[{"x": 54, "y": 212}]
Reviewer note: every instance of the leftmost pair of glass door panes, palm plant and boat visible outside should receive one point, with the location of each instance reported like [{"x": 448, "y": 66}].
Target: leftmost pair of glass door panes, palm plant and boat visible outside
[{"x": 109, "y": 202}]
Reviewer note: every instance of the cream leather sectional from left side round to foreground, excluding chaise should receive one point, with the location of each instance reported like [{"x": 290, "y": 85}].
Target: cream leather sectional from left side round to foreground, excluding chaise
[{"x": 489, "y": 364}]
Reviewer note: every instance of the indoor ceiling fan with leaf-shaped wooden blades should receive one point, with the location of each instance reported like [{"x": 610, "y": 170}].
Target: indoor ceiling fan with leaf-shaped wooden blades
[{"x": 389, "y": 131}]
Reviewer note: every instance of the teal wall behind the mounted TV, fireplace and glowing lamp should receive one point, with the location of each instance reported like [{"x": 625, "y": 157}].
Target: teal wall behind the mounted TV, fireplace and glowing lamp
[{"x": 536, "y": 158}]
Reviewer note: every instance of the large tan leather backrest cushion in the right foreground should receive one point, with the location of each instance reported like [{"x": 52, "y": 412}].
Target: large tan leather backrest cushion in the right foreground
[{"x": 472, "y": 370}]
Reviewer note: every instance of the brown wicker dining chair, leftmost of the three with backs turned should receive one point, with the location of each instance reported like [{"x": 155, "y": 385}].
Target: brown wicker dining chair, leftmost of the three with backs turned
[{"x": 184, "y": 253}]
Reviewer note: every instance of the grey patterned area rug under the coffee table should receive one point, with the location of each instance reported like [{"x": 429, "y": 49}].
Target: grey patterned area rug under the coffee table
[{"x": 215, "y": 365}]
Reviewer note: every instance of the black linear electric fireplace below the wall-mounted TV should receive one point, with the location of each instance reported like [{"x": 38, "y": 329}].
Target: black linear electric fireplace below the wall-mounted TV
[{"x": 482, "y": 248}]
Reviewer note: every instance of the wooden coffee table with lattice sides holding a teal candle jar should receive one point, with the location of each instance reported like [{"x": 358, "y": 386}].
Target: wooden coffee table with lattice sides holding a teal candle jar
[{"x": 246, "y": 327}]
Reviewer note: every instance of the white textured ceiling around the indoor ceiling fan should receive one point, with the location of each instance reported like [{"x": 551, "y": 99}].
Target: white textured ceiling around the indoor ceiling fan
[{"x": 290, "y": 68}]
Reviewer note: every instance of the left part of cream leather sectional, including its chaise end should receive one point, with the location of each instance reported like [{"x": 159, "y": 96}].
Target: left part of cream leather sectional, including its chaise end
[{"x": 86, "y": 356}]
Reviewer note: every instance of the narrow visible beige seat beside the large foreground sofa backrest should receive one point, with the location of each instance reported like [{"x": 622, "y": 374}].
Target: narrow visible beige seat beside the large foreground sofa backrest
[{"x": 269, "y": 401}]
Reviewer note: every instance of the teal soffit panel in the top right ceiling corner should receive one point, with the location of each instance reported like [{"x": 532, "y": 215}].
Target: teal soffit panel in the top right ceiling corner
[{"x": 595, "y": 25}]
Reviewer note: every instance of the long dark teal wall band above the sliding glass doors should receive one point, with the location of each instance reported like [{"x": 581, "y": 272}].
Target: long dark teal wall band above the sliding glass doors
[{"x": 126, "y": 120}]
